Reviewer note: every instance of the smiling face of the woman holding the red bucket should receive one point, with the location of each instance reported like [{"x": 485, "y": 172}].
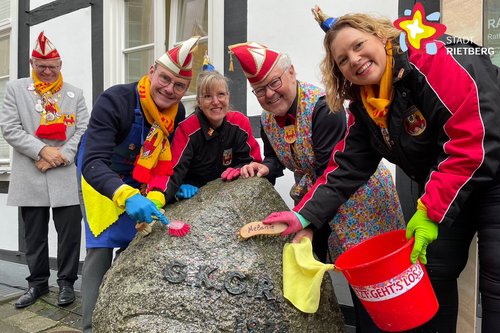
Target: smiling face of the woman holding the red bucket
[{"x": 360, "y": 56}]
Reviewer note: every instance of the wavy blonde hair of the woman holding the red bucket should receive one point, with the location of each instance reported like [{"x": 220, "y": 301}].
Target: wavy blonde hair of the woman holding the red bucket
[{"x": 338, "y": 89}]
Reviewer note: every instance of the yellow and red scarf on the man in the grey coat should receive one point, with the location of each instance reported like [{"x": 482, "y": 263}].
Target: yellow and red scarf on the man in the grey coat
[{"x": 52, "y": 123}]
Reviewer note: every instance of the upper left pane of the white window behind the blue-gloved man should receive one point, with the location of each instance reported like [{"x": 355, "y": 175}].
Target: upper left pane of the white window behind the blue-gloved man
[{"x": 138, "y": 22}]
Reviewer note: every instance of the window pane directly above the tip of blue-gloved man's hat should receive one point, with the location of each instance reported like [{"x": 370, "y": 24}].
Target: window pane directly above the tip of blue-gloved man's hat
[{"x": 193, "y": 19}]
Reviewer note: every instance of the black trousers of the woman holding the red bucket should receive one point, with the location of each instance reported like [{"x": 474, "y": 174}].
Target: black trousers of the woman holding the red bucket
[{"x": 447, "y": 257}]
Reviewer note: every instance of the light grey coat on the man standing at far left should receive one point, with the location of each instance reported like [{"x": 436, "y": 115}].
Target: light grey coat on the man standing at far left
[{"x": 57, "y": 187}]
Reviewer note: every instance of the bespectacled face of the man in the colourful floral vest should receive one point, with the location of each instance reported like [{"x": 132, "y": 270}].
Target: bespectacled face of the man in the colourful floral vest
[{"x": 277, "y": 100}]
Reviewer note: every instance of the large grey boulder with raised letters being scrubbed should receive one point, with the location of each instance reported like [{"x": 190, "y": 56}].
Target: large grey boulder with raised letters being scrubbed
[{"x": 209, "y": 280}]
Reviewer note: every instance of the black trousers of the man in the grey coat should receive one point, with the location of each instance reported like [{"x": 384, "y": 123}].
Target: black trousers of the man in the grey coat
[{"x": 67, "y": 221}]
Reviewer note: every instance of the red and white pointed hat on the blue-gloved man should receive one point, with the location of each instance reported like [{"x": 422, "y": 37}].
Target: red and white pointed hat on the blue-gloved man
[{"x": 179, "y": 59}]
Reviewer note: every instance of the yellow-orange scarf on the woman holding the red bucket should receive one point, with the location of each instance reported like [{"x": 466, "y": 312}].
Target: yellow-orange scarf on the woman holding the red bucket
[{"x": 378, "y": 106}]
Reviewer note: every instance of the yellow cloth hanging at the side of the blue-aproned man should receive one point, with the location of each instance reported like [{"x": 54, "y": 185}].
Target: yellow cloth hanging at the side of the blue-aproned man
[{"x": 101, "y": 211}]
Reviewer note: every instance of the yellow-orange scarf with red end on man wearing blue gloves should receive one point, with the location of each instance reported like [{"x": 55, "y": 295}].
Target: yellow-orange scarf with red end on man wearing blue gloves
[{"x": 155, "y": 157}]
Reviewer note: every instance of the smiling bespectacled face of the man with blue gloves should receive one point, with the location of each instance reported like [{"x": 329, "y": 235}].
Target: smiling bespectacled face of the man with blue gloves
[{"x": 166, "y": 88}]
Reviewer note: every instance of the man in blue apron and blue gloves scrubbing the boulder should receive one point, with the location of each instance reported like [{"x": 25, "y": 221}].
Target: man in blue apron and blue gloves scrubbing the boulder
[{"x": 127, "y": 143}]
